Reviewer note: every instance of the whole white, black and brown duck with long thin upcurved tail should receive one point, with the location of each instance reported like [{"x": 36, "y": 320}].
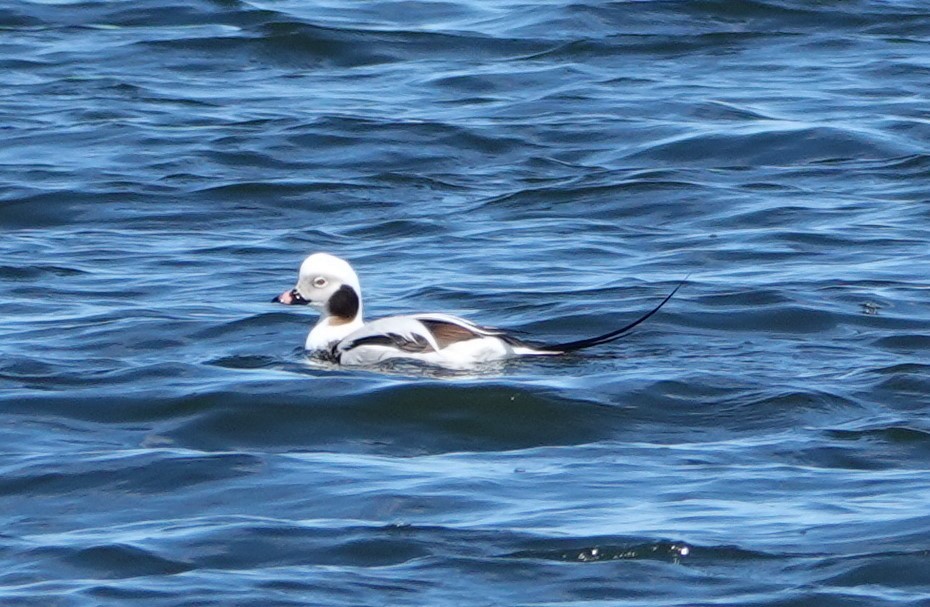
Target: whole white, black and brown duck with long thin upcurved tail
[{"x": 330, "y": 285}]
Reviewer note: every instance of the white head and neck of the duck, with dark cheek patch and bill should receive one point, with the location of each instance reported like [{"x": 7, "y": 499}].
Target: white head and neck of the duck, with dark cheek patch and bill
[{"x": 330, "y": 285}]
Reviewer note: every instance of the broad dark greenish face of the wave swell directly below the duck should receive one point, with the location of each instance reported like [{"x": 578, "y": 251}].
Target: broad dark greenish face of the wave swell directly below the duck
[{"x": 406, "y": 419}]
